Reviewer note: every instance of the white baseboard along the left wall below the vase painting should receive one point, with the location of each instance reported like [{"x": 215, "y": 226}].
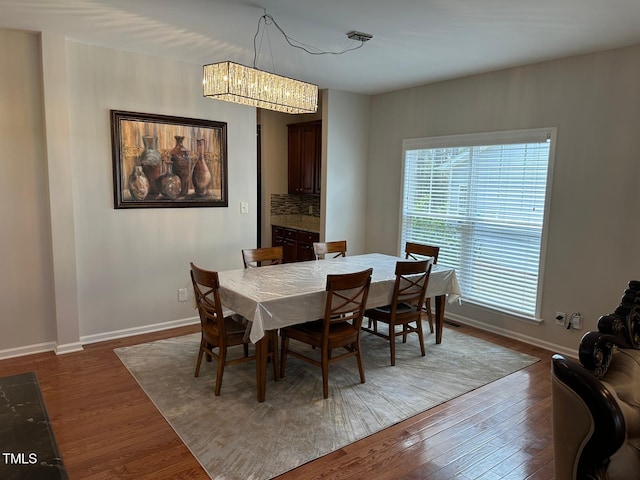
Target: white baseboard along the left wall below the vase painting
[{"x": 100, "y": 337}]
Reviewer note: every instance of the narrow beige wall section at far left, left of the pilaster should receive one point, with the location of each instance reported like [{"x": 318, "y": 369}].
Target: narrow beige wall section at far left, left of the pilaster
[{"x": 26, "y": 285}]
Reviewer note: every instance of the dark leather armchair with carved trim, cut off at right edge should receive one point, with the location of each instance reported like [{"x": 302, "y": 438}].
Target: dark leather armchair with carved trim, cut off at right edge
[{"x": 596, "y": 403}]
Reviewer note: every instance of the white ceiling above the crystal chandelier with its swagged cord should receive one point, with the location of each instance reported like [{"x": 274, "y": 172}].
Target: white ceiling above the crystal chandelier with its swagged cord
[{"x": 414, "y": 41}]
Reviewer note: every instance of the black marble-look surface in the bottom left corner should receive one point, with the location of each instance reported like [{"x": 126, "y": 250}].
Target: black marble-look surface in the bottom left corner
[{"x": 28, "y": 449}]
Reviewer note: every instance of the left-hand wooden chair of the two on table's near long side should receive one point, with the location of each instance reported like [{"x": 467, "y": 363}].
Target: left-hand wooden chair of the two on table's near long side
[{"x": 339, "y": 329}]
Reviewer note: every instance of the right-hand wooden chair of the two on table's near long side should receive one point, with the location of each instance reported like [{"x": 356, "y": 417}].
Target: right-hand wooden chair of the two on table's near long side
[{"x": 405, "y": 309}]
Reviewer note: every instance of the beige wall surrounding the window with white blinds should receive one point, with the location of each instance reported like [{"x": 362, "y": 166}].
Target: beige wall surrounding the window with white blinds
[{"x": 594, "y": 101}]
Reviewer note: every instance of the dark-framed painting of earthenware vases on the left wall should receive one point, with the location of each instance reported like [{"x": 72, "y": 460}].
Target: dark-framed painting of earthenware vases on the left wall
[{"x": 161, "y": 161}]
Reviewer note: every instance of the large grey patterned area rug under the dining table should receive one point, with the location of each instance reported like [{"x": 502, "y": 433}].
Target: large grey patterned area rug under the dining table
[{"x": 236, "y": 438}]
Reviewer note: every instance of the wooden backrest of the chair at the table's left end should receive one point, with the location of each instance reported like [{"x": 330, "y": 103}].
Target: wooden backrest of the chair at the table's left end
[{"x": 206, "y": 287}]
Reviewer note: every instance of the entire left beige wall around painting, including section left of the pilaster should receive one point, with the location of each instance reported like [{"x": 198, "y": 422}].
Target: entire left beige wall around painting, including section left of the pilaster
[{"x": 129, "y": 264}]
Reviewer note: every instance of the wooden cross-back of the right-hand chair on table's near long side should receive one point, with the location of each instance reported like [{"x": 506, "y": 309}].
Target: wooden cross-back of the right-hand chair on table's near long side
[{"x": 412, "y": 279}]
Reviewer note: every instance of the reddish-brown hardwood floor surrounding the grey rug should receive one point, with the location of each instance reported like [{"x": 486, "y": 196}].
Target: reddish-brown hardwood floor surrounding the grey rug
[{"x": 107, "y": 428}]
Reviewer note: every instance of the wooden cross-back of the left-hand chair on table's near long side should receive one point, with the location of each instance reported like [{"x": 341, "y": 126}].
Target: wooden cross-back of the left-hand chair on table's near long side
[{"x": 347, "y": 297}]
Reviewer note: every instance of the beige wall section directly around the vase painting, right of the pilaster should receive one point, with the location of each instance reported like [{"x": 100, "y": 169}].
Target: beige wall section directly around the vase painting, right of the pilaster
[{"x": 132, "y": 262}]
